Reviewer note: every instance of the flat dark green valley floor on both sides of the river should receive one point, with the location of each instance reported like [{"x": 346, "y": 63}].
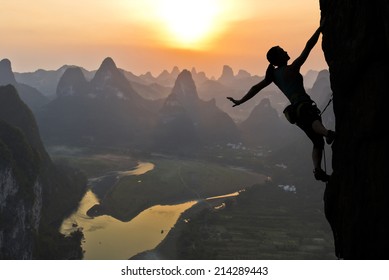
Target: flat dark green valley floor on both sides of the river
[{"x": 266, "y": 221}]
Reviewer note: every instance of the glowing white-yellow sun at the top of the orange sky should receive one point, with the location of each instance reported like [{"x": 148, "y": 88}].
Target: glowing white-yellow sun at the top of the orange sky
[{"x": 190, "y": 23}]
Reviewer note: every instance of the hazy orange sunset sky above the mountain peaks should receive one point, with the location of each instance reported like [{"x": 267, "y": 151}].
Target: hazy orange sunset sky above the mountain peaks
[{"x": 152, "y": 35}]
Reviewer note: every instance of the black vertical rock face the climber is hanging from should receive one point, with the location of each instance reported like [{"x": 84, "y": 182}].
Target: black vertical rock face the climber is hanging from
[{"x": 356, "y": 44}]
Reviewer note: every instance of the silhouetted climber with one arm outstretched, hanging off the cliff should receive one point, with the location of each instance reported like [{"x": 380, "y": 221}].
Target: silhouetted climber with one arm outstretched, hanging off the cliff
[{"x": 302, "y": 111}]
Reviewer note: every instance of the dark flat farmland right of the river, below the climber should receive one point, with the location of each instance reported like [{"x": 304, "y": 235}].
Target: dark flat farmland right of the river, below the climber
[{"x": 264, "y": 222}]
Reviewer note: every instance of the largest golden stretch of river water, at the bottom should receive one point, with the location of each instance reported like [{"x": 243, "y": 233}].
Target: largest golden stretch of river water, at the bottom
[{"x": 108, "y": 238}]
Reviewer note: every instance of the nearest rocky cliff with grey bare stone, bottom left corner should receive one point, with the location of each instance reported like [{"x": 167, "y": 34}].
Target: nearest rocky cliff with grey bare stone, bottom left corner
[{"x": 20, "y": 194}]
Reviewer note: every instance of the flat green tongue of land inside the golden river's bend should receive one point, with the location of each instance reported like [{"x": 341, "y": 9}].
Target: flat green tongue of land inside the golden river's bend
[{"x": 173, "y": 181}]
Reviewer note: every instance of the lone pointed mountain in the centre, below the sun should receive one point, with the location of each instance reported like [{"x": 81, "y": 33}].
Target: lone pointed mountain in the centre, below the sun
[{"x": 191, "y": 120}]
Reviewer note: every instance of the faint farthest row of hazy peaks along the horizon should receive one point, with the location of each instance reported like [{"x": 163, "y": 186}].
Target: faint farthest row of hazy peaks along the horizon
[{"x": 159, "y": 87}]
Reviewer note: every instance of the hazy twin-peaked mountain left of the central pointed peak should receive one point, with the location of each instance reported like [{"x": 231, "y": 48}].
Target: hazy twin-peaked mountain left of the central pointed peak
[{"x": 104, "y": 111}]
